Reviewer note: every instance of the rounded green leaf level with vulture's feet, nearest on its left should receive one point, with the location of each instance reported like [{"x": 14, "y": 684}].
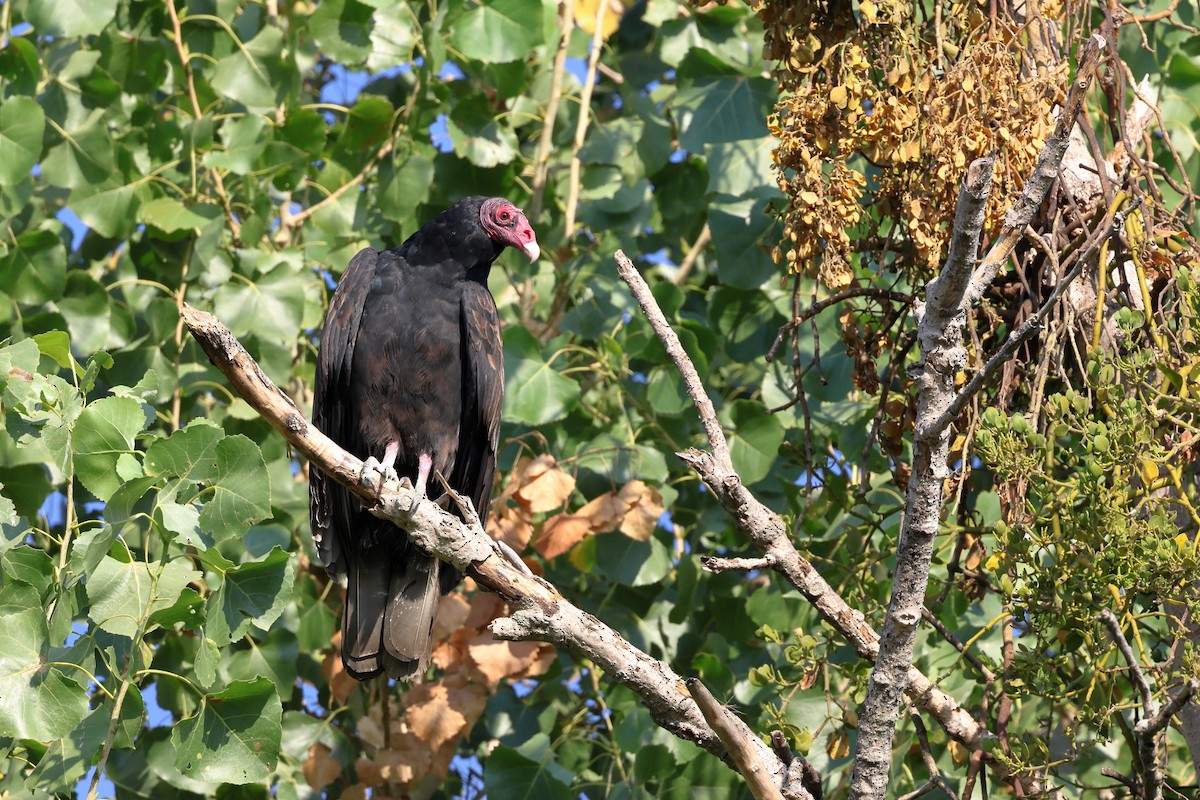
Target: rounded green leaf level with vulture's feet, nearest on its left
[{"x": 241, "y": 490}]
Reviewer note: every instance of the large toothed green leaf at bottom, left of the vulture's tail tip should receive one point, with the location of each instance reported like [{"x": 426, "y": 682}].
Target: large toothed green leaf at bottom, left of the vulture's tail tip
[{"x": 235, "y": 738}]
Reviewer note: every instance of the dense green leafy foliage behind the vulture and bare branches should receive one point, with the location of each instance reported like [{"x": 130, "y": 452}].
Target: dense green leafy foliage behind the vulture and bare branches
[{"x": 155, "y": 544}]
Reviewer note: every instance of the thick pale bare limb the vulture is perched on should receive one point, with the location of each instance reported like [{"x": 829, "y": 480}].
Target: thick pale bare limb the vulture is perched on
[{"x": 541, "y": 612}]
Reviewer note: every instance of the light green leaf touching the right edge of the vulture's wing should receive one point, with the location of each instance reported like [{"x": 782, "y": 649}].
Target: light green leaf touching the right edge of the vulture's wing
[{"x": 535, "y": 393}]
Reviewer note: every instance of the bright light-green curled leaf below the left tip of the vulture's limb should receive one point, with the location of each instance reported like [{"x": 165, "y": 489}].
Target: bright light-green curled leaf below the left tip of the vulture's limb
[{"x": 104, "y": 432}]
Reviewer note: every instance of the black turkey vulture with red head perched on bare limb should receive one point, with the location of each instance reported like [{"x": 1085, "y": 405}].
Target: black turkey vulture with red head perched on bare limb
[{"x": 411, "y": 371}]
